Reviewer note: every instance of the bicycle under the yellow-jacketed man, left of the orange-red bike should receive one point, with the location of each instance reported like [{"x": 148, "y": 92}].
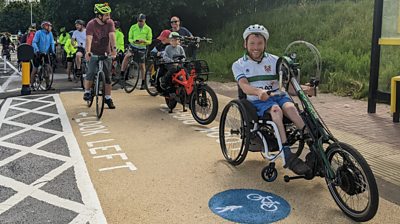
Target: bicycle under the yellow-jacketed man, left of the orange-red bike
[{"x": 132, "y": 72}]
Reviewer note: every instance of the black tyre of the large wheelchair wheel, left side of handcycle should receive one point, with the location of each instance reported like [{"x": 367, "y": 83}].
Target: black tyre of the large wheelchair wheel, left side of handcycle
[{"x": 244, "y": 133}]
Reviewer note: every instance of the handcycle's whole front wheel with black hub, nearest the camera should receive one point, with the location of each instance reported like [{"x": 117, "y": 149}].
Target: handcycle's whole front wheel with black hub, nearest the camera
[{"x": 354, "y": 189}]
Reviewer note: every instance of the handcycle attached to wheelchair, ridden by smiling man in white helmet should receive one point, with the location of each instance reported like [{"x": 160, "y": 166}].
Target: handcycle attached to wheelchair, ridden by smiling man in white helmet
[{"x": 347, "y": 174}]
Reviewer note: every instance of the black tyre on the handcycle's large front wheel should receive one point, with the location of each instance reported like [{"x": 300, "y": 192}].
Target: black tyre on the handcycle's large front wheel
[{"x": 372, "y": 207}]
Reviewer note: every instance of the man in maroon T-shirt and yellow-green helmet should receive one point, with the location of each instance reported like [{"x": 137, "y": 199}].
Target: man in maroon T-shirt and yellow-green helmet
[{"x": 100, "y": 40}]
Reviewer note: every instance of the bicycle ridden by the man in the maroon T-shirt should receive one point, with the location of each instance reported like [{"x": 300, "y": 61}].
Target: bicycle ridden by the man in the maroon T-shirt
[{"x": 98, "y": 87}]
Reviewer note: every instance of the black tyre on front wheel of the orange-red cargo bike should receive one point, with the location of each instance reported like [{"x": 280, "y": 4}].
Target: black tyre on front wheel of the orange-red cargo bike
[{"x": 197, "y": 98}]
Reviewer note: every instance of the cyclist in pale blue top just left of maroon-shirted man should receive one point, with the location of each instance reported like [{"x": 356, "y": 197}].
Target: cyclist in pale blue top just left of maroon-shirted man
[{"x": 80, "y": 36}]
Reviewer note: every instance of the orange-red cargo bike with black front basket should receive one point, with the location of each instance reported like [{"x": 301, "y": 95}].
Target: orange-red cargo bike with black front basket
[{"x": 189, "y": 86}]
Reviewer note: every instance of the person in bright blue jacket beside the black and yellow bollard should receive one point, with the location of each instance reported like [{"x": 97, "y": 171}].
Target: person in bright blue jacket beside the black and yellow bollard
[{"x": 43, "y": 43}]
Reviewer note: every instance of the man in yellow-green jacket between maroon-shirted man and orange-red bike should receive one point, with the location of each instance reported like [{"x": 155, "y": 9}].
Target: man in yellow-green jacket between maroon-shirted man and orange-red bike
[{"x": 140, "y": 36}]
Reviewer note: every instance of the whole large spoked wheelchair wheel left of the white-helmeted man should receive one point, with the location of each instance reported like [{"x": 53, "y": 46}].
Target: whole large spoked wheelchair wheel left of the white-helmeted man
[{"x": 234, "y": 133}]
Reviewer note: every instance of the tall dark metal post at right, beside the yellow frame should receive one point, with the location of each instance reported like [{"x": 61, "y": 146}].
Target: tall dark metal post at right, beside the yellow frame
[{"x": 375, "y": 56}]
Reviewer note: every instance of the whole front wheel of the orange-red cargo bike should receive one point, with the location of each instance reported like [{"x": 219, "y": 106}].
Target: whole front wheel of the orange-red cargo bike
[{"x": 204, "y": 104}]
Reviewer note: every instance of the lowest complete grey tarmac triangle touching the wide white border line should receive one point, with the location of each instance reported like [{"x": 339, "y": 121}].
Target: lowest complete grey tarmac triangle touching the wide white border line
[{"x": 64, "y": 186}]
